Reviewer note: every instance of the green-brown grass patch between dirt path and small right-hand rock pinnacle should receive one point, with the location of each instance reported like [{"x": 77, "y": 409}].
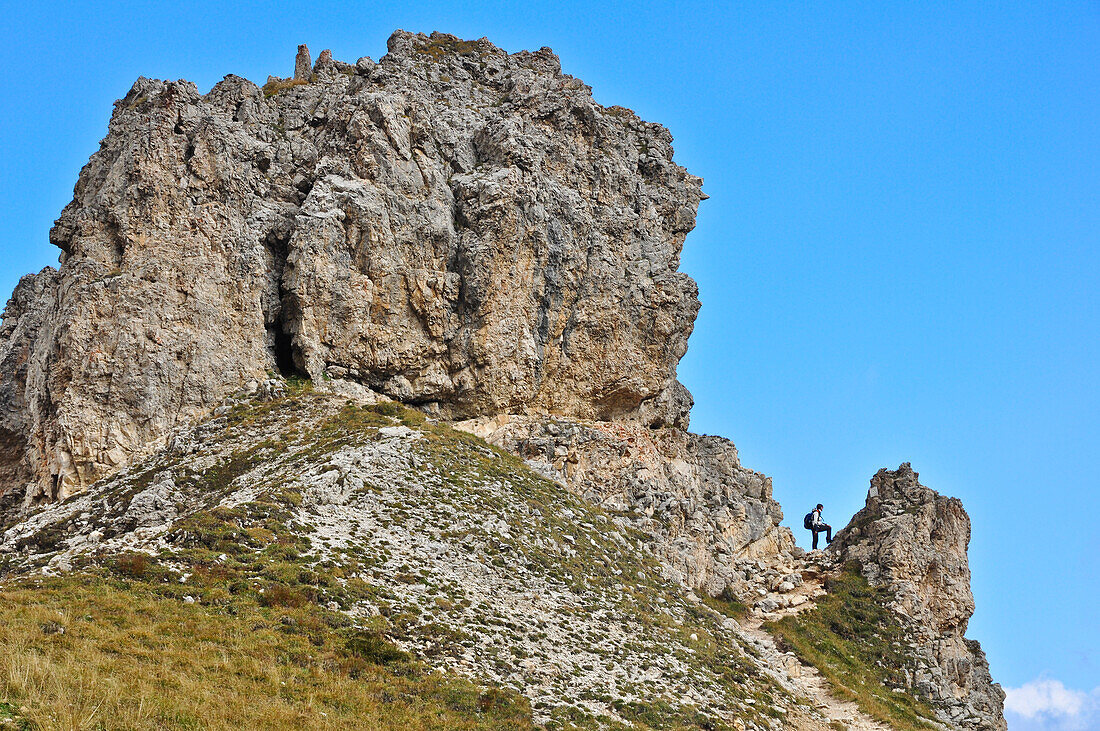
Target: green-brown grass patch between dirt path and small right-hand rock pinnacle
[{"x": 859, "y": 646}]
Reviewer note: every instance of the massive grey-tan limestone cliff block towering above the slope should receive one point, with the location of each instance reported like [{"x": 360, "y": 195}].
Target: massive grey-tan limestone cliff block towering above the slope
[{"x": 453, "y": 227}]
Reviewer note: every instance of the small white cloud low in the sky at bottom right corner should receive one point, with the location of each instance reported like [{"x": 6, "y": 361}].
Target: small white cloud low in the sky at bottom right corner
[{"x": 1048, "y": 705}]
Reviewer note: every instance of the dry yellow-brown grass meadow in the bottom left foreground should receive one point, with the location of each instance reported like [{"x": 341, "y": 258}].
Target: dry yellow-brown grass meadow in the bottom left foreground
[{"x": 129, "y": 659}]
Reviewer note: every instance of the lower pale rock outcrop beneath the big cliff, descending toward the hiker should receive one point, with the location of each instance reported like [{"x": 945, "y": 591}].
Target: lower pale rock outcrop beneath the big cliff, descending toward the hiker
[{"x": 712, "y": 518}]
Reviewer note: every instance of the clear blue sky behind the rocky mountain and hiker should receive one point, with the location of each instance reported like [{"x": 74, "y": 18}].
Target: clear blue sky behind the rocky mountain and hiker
[{"x": 899, "y": 260}]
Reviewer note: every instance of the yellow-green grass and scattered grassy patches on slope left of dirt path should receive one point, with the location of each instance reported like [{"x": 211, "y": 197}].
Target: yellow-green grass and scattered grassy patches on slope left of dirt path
[{"x": 261, "y": 647}]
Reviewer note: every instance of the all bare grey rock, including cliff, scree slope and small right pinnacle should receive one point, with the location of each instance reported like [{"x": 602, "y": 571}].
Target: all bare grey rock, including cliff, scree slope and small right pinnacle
[{"x": 469, "y": 232}]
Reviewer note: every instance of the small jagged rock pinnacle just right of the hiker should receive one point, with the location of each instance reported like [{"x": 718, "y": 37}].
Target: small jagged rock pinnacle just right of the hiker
[{"x": 915, "y": 540}]
